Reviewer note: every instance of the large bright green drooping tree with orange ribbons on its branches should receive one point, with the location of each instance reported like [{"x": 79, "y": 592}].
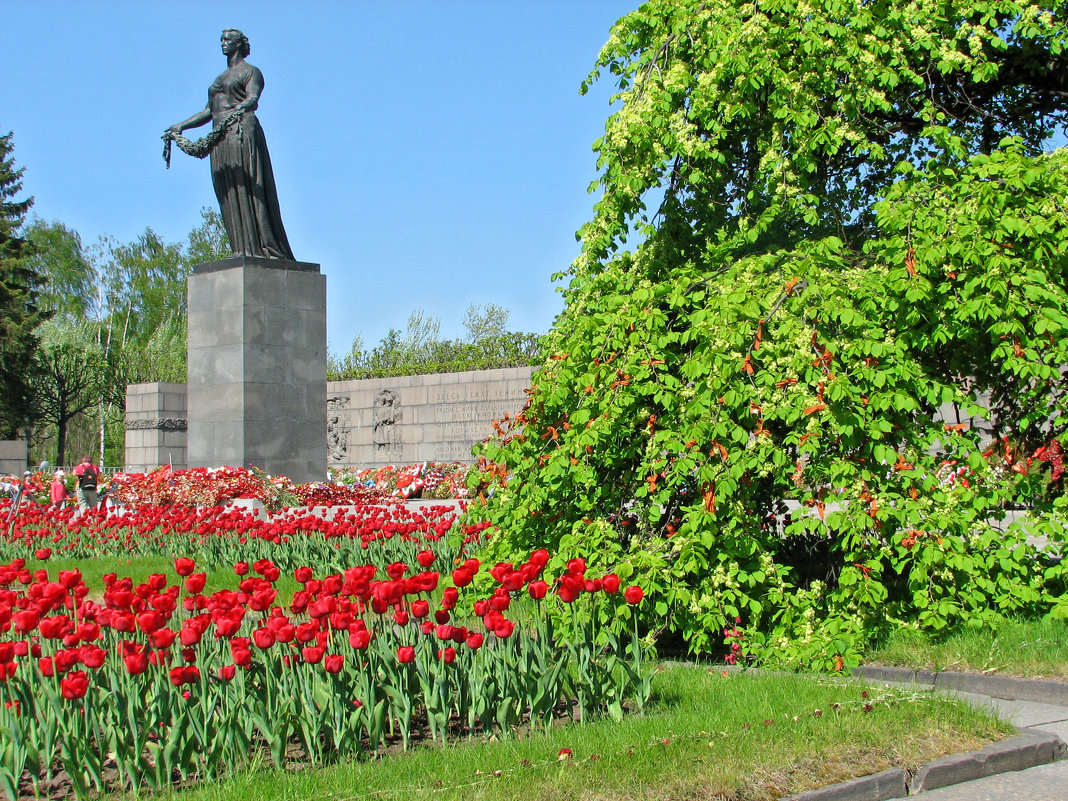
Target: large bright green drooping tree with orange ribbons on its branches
[{"x": 845, "y": 221}]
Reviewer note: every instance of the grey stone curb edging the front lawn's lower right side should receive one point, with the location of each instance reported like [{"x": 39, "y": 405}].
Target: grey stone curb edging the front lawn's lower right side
[{"x": 1027, "y": 750}]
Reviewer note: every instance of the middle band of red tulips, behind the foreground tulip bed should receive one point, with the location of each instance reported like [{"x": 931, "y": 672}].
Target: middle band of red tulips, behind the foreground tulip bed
[{"x": 218, "y": 537}]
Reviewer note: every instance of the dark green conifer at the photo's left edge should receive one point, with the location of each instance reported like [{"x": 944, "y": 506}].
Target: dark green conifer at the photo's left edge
[{"x": 20, "y": 290}]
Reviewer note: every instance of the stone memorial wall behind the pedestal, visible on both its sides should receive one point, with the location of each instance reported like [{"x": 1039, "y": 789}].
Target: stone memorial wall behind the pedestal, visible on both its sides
[{"x": 370, "y": 423}]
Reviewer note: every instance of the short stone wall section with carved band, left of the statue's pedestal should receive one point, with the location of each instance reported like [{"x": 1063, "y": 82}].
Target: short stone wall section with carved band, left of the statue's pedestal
[{"x": 156, "y": 425}]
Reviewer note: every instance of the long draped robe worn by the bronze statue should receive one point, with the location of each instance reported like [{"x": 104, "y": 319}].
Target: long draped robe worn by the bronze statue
[{"x": 242, "y": 172}]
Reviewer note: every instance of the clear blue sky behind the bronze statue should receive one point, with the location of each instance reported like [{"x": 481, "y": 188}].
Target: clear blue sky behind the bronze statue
[{"x": 429, "y": 155}]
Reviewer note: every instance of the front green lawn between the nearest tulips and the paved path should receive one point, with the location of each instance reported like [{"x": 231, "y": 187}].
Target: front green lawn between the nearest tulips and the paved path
[{"x": 705, "y": 736}]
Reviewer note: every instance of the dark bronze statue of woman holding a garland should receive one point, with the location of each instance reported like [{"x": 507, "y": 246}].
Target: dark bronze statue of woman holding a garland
[{"x": 241, "y": 166}]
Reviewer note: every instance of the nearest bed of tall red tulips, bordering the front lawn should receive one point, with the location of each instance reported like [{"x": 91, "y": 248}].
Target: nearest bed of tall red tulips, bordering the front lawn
[{"x": 164, "y": 682}]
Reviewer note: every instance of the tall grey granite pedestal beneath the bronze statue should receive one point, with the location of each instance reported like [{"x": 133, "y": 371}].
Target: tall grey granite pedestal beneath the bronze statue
[{"x": 258, "y": 363}]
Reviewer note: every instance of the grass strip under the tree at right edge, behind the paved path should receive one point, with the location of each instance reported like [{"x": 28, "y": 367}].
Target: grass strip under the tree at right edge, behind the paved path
[{"x": 1026, "y": 649}]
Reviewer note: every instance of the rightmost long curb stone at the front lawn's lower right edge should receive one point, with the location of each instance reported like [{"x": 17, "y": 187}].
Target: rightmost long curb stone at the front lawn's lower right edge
[{"x": 1017, "y": 753}]
